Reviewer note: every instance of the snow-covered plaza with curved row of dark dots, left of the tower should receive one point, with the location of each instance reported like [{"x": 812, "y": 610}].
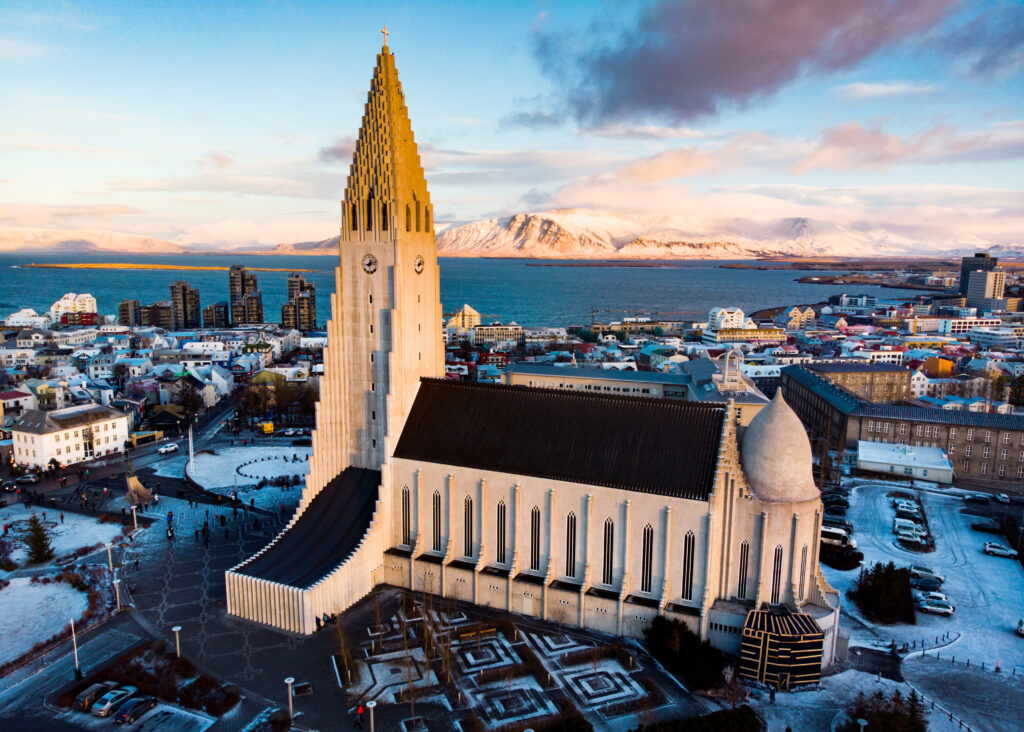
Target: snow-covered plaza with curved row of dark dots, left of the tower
[{"x": 230, "y": 467}]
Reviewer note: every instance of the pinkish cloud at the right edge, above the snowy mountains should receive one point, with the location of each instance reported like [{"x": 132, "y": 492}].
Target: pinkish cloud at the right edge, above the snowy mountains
[{"x": 854, "y": 147}]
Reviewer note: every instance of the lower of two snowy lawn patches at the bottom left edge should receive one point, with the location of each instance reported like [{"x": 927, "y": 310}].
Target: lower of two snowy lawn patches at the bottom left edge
[{"x": 35, "y": 613}]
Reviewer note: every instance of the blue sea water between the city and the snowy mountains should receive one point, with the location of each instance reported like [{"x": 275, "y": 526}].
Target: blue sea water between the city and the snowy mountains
[{"x": 501, "y": 289}]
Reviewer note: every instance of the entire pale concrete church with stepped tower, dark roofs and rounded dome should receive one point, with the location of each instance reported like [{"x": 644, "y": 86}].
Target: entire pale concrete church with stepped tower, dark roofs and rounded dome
[{"x": 599, "y": 511}]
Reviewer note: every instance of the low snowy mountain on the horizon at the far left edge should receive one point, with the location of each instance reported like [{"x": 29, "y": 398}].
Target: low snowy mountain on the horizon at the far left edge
[{"x": 14, "y": 239}]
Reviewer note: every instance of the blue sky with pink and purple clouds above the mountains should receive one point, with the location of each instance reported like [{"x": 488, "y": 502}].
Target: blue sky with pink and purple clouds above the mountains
[{"x": 228, "y": 124}]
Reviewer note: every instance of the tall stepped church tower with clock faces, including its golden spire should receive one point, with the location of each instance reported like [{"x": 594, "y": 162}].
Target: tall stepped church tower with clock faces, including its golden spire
[{"x": 386, "y": 332}]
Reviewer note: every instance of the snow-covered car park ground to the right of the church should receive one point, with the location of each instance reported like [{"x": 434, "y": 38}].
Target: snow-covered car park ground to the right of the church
[{"x": 988, "y": 592}]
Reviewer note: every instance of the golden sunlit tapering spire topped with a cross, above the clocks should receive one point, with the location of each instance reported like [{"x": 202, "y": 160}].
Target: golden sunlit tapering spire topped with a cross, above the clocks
[{"x": 387, "y": 191}]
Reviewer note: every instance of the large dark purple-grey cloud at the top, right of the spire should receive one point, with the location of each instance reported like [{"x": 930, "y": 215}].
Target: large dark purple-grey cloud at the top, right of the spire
[{"x": 687, "y": 60}]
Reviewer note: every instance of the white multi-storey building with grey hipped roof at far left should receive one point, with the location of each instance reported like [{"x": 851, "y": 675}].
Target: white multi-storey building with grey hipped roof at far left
[{"x": 42, "y": 440}]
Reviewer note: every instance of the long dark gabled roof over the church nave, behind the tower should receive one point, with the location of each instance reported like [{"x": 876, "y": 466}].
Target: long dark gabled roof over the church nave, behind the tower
[{"x": 665, "y": 447}]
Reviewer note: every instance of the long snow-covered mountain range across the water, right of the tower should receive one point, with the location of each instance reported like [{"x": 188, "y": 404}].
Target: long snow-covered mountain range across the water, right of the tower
[{"x": 581, "y": 234}]
